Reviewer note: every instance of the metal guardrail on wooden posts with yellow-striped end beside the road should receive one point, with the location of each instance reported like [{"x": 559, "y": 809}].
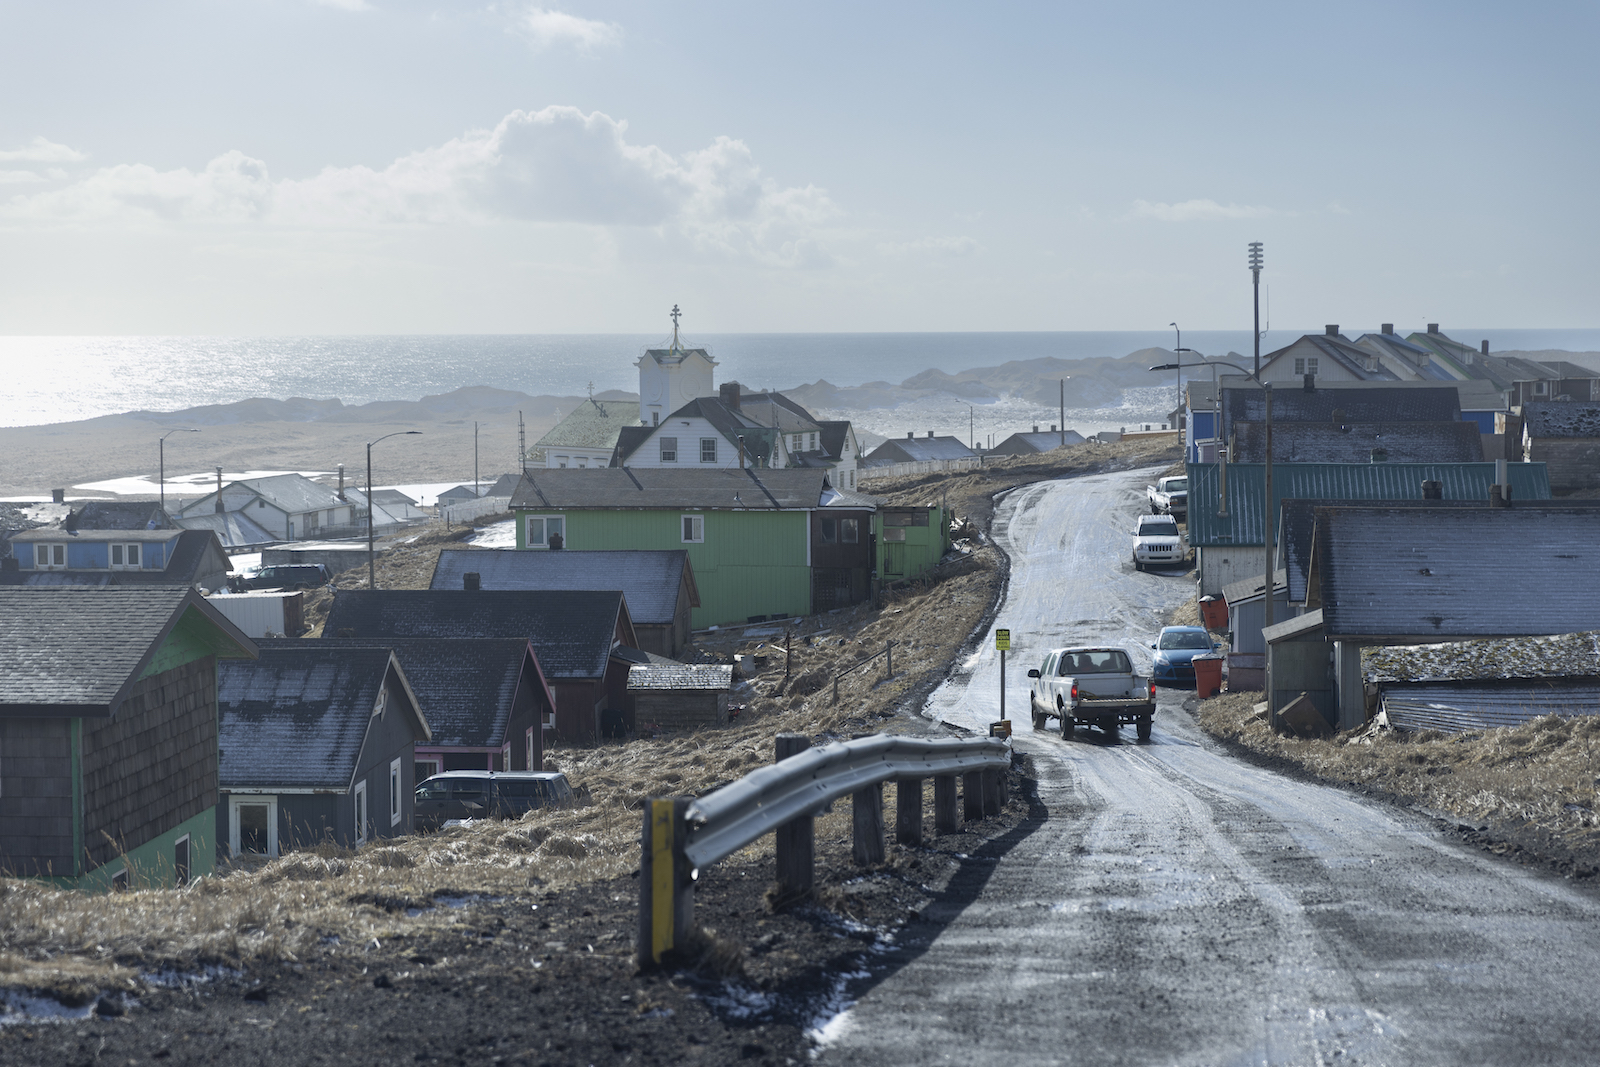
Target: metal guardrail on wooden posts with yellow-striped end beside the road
[{"x": 684, "y": 836}]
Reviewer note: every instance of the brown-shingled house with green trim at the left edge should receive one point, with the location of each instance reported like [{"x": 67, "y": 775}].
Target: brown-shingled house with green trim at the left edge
[{"x": 110, "y": 733}]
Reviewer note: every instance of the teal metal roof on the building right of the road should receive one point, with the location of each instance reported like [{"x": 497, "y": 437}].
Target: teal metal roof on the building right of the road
[{"x": 1337, "y": 482}]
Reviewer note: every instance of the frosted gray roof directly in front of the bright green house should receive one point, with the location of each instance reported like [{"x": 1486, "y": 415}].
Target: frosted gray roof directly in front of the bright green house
[{"x": 650, "y": 580}]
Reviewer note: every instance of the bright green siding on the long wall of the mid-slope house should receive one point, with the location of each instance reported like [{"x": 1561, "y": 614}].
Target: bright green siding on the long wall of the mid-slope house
[{"x": 750, "y": 564}]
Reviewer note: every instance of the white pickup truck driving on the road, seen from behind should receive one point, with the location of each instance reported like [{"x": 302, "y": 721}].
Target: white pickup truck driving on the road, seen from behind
[{"x": 1095, "y": 687}]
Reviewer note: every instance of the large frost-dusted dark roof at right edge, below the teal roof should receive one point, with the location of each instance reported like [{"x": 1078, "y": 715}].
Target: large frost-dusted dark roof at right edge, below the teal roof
[{"x": 1406, "y": 573}]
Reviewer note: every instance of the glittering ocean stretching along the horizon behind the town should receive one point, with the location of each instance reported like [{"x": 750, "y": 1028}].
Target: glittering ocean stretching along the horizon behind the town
[{"x": 62, "y": 380}]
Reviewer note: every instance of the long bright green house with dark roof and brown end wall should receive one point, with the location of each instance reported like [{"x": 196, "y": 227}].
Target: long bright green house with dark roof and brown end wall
[{"x": 764, "y": 545}]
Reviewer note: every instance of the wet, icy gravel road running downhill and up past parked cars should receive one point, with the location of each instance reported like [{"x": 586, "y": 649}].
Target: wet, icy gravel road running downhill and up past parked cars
[{"x": 1177, "y": 906}]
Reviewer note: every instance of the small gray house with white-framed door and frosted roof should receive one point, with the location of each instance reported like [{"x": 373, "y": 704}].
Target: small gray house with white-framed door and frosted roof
[{"x": 316, "y": 746}]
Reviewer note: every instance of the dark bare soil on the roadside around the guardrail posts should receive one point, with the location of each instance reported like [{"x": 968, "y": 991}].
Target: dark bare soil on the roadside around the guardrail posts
[{"x": 551, "y": 978}]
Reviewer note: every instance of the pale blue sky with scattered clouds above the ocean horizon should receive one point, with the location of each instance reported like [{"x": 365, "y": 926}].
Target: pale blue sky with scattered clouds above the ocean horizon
[{"x": 310, "y": 167}]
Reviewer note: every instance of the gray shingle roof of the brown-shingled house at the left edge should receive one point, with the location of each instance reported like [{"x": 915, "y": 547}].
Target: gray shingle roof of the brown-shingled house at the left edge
[{"x": 78, "y": 650}]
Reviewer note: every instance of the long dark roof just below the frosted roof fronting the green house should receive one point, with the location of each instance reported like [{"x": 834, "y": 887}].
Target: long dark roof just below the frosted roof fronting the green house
[{"x": 572, "y": 631}]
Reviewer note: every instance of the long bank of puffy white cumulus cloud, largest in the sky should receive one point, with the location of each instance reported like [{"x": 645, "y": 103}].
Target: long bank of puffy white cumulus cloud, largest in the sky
[{"x": 558, "y": 166}]
